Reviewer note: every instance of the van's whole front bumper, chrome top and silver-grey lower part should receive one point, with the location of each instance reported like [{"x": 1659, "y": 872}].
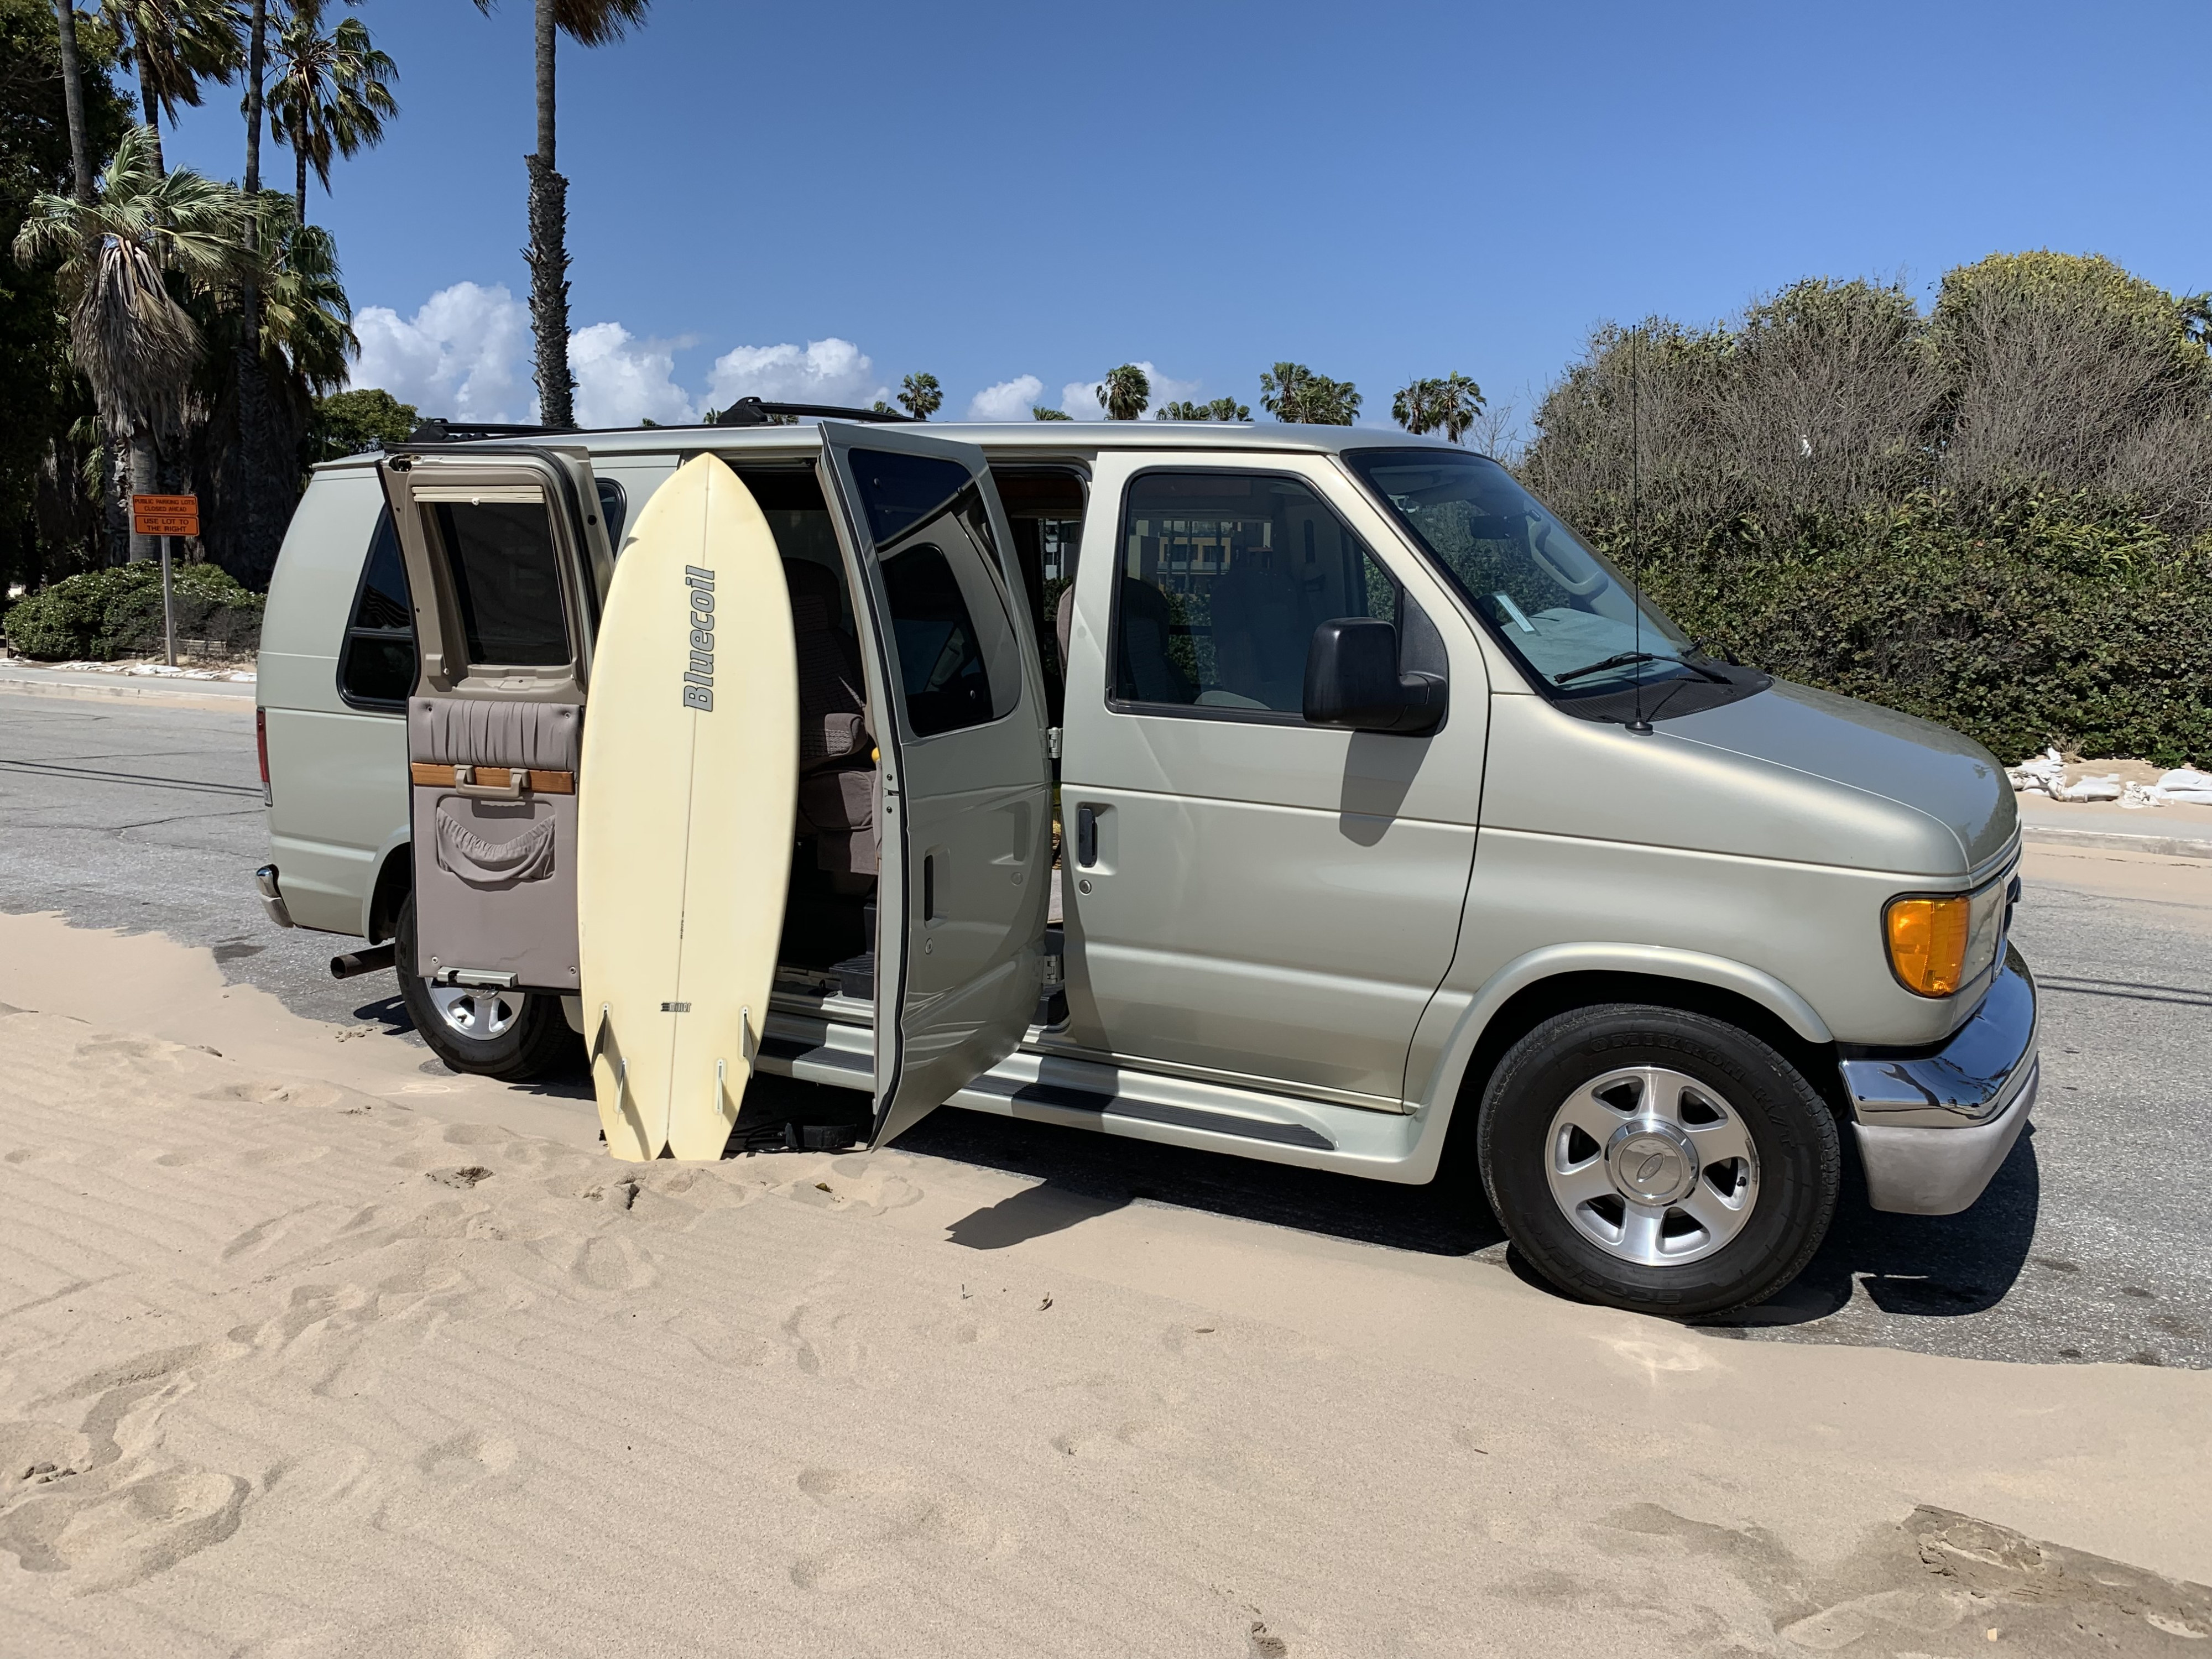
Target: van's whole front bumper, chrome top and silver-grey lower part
[{"x": 1937, "y": 1125}]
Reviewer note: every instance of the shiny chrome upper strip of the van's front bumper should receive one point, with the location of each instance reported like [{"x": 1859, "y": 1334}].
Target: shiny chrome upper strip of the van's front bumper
[{"x": 1972, "y": 1081}]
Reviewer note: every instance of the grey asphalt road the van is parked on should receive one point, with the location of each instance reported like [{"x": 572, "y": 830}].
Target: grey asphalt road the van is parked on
[{"x": 2094, "y": 1242}]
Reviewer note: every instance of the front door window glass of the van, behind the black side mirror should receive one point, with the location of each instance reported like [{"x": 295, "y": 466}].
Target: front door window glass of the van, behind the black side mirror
[{"x": 1224, "y": 578}]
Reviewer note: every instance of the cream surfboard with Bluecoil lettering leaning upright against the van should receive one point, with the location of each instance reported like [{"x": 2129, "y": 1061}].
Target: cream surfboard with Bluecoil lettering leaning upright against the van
[{"x": 685, "y": 815}]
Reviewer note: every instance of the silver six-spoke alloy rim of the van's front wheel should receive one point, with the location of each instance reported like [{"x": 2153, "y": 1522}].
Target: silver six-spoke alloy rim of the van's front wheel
[{"x": 1653, "y": 1167}]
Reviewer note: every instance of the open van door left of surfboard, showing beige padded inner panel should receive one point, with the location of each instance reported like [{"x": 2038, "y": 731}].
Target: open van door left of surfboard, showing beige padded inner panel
[{"x": 508, "y": 561}]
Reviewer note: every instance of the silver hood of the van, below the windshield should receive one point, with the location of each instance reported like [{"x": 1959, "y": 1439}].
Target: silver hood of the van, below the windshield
[{"x": 1879, "y": 751}]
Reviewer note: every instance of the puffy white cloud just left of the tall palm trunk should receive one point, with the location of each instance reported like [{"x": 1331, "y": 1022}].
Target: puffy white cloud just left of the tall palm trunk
[{"x": 466, "y": 355}]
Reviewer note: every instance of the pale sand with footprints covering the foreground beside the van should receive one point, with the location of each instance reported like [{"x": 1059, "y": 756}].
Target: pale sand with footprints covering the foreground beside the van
[{"x": 306, "y": 1353}]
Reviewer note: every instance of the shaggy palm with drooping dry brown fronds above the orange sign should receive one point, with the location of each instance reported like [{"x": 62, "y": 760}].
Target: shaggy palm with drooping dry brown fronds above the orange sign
[{"x": 127, "y": 333}]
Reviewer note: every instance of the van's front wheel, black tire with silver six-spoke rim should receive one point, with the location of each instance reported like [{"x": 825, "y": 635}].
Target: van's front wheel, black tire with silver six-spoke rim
[{"x": 1718, "y": 1089}]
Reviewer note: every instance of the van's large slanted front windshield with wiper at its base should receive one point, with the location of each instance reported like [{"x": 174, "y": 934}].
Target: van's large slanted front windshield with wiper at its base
[{"x": 1561, "y": 607}]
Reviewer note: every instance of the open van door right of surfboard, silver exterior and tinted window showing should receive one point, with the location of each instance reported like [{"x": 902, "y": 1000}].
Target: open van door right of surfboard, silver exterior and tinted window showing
[{"x": 961, "y": 724}]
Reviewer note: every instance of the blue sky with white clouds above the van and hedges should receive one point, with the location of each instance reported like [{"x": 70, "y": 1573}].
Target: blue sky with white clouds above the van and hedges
[{"x": 813, "y": 202}]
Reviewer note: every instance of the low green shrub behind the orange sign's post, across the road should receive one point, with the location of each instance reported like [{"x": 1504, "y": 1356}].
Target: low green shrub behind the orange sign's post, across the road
[{"x": 112, "y": 614}]
